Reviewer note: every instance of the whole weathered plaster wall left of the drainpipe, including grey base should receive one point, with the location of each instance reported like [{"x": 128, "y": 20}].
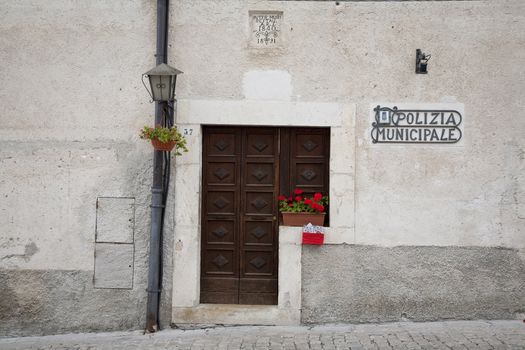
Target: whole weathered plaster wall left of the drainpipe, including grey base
[{"x": 71, "y": 107}]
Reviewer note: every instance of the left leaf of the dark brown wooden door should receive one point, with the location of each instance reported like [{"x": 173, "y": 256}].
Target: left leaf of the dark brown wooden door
[{"x": 220, "y": 224}]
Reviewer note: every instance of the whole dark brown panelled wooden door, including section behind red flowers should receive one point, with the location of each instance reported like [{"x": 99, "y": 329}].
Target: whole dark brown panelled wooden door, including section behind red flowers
[{"x": 244, "y": 171}]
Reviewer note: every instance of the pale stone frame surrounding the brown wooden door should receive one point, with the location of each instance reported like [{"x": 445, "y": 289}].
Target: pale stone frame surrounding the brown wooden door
[{"x": 191, "y": 115}]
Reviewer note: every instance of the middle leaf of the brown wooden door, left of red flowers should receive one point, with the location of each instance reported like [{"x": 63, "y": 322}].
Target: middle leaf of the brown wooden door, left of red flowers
[{"x": 258, "y": 269}]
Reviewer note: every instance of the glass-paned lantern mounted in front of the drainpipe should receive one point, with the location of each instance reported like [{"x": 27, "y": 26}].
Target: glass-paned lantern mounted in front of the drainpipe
[{"x": 162, "y": 81}]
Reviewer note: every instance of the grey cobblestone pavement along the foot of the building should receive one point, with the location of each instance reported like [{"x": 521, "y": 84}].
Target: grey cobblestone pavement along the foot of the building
[{"x": 402, "y": 335}]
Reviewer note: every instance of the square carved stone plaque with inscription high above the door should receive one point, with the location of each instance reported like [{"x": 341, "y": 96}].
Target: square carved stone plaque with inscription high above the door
[{"x": 265, "y": 28}]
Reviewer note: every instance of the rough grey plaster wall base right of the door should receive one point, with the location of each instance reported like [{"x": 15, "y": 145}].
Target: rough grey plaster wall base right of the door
[{"x": 348, "y": 283}]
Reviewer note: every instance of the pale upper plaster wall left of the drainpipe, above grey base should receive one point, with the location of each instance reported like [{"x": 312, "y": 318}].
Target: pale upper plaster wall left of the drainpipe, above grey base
[{"x": 71, "y": 106}]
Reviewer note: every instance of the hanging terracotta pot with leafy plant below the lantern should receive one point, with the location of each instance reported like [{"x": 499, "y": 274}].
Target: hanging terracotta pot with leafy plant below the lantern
[{"x": 165, "y": 138}]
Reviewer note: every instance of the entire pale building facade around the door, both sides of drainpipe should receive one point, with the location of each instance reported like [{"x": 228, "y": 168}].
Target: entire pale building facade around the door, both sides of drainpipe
[{"x": 417, "y": 231}]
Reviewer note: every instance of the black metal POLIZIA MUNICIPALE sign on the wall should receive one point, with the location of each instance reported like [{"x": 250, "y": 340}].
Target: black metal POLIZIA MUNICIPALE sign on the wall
[{"x": 393, "y": 125}]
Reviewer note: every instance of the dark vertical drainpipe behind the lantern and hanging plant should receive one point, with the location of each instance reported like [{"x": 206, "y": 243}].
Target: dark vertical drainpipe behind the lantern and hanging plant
[{"x": 157, "y": 190}]
